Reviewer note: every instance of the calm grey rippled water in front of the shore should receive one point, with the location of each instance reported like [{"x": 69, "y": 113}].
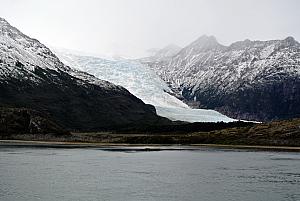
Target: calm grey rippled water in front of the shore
[{"x": 121, "y": 175}]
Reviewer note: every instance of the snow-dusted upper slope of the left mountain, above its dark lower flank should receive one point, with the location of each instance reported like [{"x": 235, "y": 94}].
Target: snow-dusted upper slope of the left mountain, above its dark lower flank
[{"x": 20, "y": 55}]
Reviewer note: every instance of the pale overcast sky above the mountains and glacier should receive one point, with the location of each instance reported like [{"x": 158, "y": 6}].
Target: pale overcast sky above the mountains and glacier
[{"x": 130, "y": 27}]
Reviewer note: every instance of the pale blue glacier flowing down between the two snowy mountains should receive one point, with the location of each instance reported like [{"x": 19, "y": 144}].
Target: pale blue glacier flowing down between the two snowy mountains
[{"x": 142, "y": 82}]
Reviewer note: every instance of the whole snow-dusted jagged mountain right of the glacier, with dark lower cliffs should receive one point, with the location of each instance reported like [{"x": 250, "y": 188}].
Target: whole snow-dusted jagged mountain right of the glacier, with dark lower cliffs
[{"x": 254, "y": 80}]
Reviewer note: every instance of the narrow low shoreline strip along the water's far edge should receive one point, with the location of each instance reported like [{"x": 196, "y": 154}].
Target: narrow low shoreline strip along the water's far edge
[{"x": 149, "y": 147}]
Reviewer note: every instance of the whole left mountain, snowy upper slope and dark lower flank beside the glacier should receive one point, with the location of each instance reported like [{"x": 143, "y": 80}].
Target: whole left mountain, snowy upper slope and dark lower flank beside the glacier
[{"x": 31, "y": 76}]
